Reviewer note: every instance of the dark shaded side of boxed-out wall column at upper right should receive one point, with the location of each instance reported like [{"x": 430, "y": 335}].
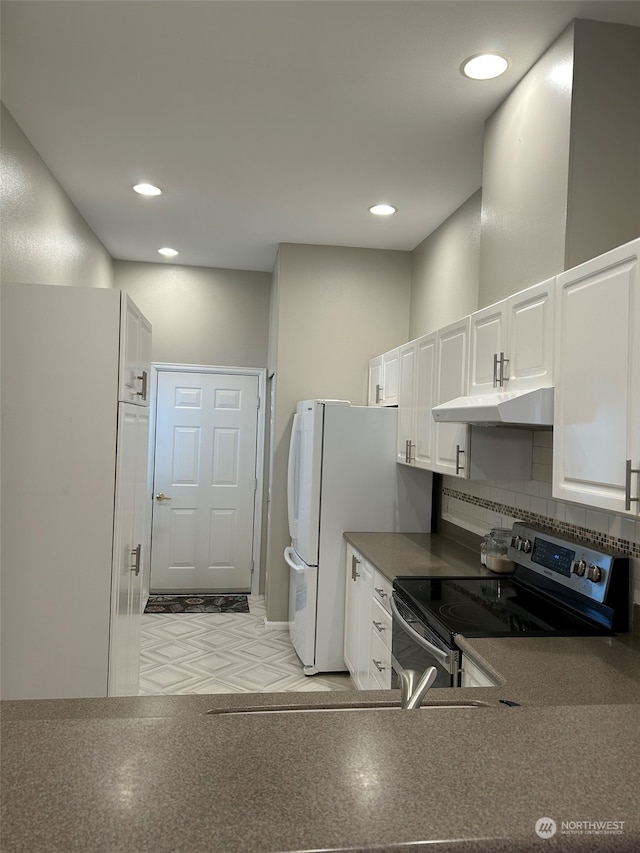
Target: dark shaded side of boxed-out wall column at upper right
[{"x": 604, "y": 188}]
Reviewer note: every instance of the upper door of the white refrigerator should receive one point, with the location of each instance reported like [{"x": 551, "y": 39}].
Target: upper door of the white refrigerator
[{"x": 304, "y": 478}]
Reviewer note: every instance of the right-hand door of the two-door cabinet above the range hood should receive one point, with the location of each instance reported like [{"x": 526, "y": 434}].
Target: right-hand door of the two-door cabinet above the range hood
[{"x": 529, "y": 345}]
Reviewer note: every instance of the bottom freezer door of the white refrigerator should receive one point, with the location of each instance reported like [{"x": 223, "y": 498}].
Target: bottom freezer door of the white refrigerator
[{"x": 303, "y": 589}]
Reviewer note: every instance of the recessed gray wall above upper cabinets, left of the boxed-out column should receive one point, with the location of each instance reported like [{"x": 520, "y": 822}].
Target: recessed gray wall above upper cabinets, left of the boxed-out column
[{"x": 446, "y": 271}]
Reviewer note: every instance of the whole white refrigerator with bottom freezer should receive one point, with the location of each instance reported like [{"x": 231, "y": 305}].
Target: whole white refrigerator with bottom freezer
[{"x": 342, "y": 475}]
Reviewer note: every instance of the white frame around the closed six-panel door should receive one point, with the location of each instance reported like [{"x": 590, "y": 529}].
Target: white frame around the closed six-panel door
[{"x": 261, "y": 374}]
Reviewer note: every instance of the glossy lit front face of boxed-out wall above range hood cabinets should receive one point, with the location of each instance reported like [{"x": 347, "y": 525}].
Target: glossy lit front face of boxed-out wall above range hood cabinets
[{"x": 525, "y": 178}]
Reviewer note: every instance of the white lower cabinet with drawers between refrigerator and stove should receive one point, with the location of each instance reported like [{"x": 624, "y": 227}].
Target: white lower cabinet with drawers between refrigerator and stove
[{"x": 367, "y": 647}]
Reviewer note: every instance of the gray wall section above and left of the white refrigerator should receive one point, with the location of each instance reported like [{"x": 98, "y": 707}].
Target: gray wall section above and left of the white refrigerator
[{"x": 334, "y": 308}]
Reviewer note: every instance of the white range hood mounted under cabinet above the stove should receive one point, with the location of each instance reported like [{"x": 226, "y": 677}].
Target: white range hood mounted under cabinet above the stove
[{"x": 533, "y": 407}]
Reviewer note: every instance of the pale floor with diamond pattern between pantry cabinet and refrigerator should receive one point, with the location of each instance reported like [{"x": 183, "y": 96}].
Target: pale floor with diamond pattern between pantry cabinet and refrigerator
[{"x": 223, "y": 653}]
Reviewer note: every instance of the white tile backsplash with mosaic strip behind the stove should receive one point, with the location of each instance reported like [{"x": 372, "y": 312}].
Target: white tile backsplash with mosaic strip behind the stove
[{"x": 479, "y": 505}]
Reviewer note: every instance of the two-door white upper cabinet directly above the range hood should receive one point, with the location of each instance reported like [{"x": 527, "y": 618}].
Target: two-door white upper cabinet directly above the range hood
[{"x": 512, "y": 342}]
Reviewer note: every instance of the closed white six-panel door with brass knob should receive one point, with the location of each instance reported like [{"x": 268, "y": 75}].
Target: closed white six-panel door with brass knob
[{"x": 204, "y": 482}]
